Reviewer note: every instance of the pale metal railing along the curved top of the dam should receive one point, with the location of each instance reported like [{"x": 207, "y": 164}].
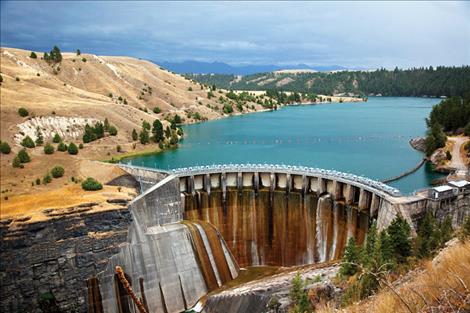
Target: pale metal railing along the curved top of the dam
[{"x": 291, "y": 169}]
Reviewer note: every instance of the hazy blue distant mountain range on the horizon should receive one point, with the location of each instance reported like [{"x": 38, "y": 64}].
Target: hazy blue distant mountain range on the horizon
[{"x": 196, "y": 67}]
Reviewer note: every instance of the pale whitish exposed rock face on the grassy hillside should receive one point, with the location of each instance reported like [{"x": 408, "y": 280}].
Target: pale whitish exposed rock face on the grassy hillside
[{"x": 66, "y": 127}]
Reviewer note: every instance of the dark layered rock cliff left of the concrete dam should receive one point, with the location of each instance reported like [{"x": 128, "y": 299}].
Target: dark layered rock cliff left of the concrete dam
[{"x": 57, "y": 256}]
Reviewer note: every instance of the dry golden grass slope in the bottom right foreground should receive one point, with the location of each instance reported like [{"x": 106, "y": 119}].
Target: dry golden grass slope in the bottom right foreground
[{"x": 442, "y": 285}]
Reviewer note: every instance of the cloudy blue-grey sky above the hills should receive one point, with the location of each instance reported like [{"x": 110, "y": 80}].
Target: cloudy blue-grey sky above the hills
[{"x": 352, "y": 34}]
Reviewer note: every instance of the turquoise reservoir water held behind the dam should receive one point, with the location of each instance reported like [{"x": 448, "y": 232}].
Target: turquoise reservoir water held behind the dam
[{"x": 366, "y": 138}]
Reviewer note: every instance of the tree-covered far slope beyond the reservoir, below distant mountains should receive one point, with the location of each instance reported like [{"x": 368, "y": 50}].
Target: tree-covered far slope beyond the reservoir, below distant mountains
[{"x": 440, "y": 81}]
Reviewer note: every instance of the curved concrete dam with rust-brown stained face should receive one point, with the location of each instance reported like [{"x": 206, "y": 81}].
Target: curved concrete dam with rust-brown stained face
[{"x": 193, "y": 228}]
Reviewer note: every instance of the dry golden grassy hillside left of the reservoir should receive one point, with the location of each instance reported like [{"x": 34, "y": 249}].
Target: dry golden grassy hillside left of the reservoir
[{"x": 122, "y": 89}]
